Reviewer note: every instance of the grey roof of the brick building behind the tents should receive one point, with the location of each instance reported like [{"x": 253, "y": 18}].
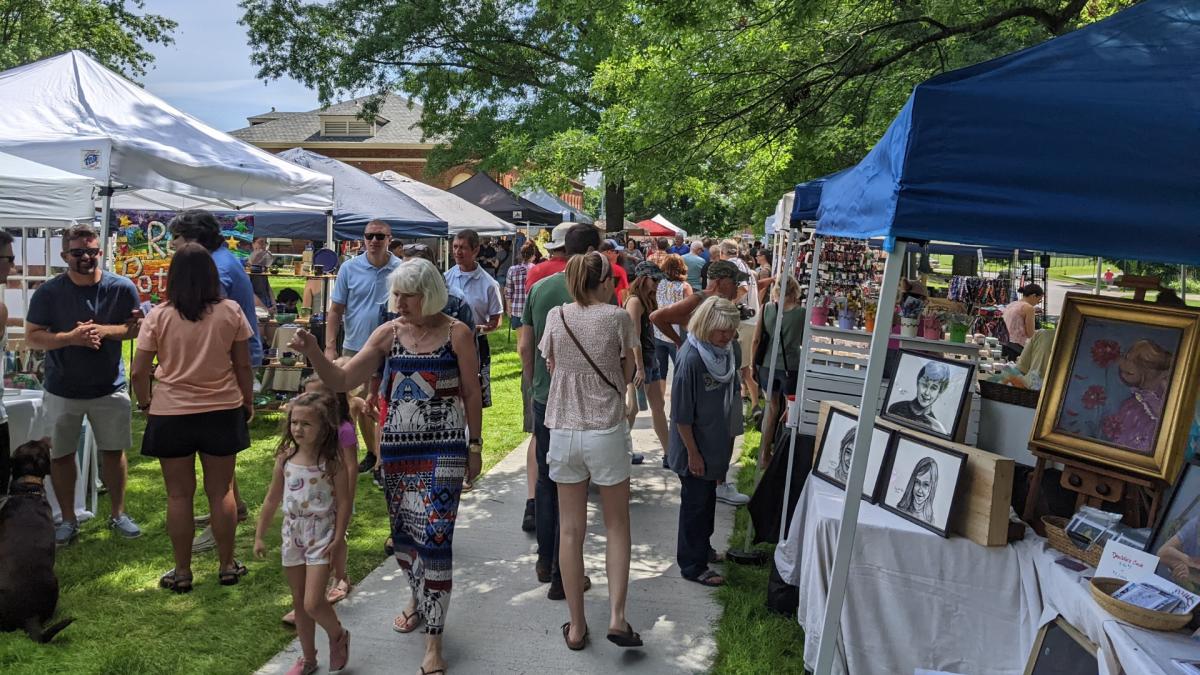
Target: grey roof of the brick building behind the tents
[{"x": 395, "y": 123}]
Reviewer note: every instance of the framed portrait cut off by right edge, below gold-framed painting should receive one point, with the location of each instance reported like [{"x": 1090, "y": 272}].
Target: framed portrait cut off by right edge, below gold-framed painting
[{"x": 1177, "y": 540}]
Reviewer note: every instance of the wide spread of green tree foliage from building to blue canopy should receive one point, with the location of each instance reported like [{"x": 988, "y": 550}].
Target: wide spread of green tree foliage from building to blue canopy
[{"x": 706, "y": 110}]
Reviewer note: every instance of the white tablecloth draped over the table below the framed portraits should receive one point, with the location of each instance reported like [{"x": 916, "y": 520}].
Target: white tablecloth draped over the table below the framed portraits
[{"x": 919, "y": 601}]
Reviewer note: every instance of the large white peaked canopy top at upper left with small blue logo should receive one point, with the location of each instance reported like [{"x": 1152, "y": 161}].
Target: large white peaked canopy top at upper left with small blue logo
[{"x": 75, "y": 115}]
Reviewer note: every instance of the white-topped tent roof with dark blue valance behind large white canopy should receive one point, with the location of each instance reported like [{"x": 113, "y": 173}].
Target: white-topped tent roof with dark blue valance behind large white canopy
[{"x": 358, "y": 200}]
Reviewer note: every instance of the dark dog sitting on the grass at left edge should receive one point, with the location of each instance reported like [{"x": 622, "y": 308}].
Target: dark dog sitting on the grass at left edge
[{"x": 29, "y": 590}]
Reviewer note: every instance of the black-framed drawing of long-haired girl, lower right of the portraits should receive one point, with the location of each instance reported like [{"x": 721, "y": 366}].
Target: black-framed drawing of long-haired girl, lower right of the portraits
[{"x": 922, "y": 482}]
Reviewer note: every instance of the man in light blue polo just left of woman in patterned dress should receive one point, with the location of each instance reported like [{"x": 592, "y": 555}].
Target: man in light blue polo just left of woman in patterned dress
[{"x": 362, "y": 286}]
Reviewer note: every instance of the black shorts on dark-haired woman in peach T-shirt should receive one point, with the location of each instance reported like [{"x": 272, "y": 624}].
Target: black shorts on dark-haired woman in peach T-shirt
[{"x": 218, "y": 434}]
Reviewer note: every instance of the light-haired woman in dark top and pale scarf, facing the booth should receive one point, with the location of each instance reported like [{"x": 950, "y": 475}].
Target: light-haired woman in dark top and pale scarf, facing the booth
[{"x": 705, "y": 420}]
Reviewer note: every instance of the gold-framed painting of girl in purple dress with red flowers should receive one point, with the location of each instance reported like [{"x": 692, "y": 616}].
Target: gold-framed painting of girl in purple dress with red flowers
[{"x": 1121, "y": 386}]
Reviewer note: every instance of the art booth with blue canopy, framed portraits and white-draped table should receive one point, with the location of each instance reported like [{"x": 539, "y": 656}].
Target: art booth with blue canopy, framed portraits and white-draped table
[{"x": 1079, "y": 553}]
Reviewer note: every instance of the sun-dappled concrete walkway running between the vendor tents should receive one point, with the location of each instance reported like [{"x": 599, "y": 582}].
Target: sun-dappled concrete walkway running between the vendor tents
[{"x": 500, "y": 619}]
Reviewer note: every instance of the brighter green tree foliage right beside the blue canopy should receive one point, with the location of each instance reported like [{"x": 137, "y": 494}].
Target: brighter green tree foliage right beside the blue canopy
[{"x": 746, "y": 99}]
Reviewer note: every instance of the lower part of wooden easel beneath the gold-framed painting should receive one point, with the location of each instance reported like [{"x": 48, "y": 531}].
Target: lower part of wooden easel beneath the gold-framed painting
[{"x": 1095, "y": 487}]
